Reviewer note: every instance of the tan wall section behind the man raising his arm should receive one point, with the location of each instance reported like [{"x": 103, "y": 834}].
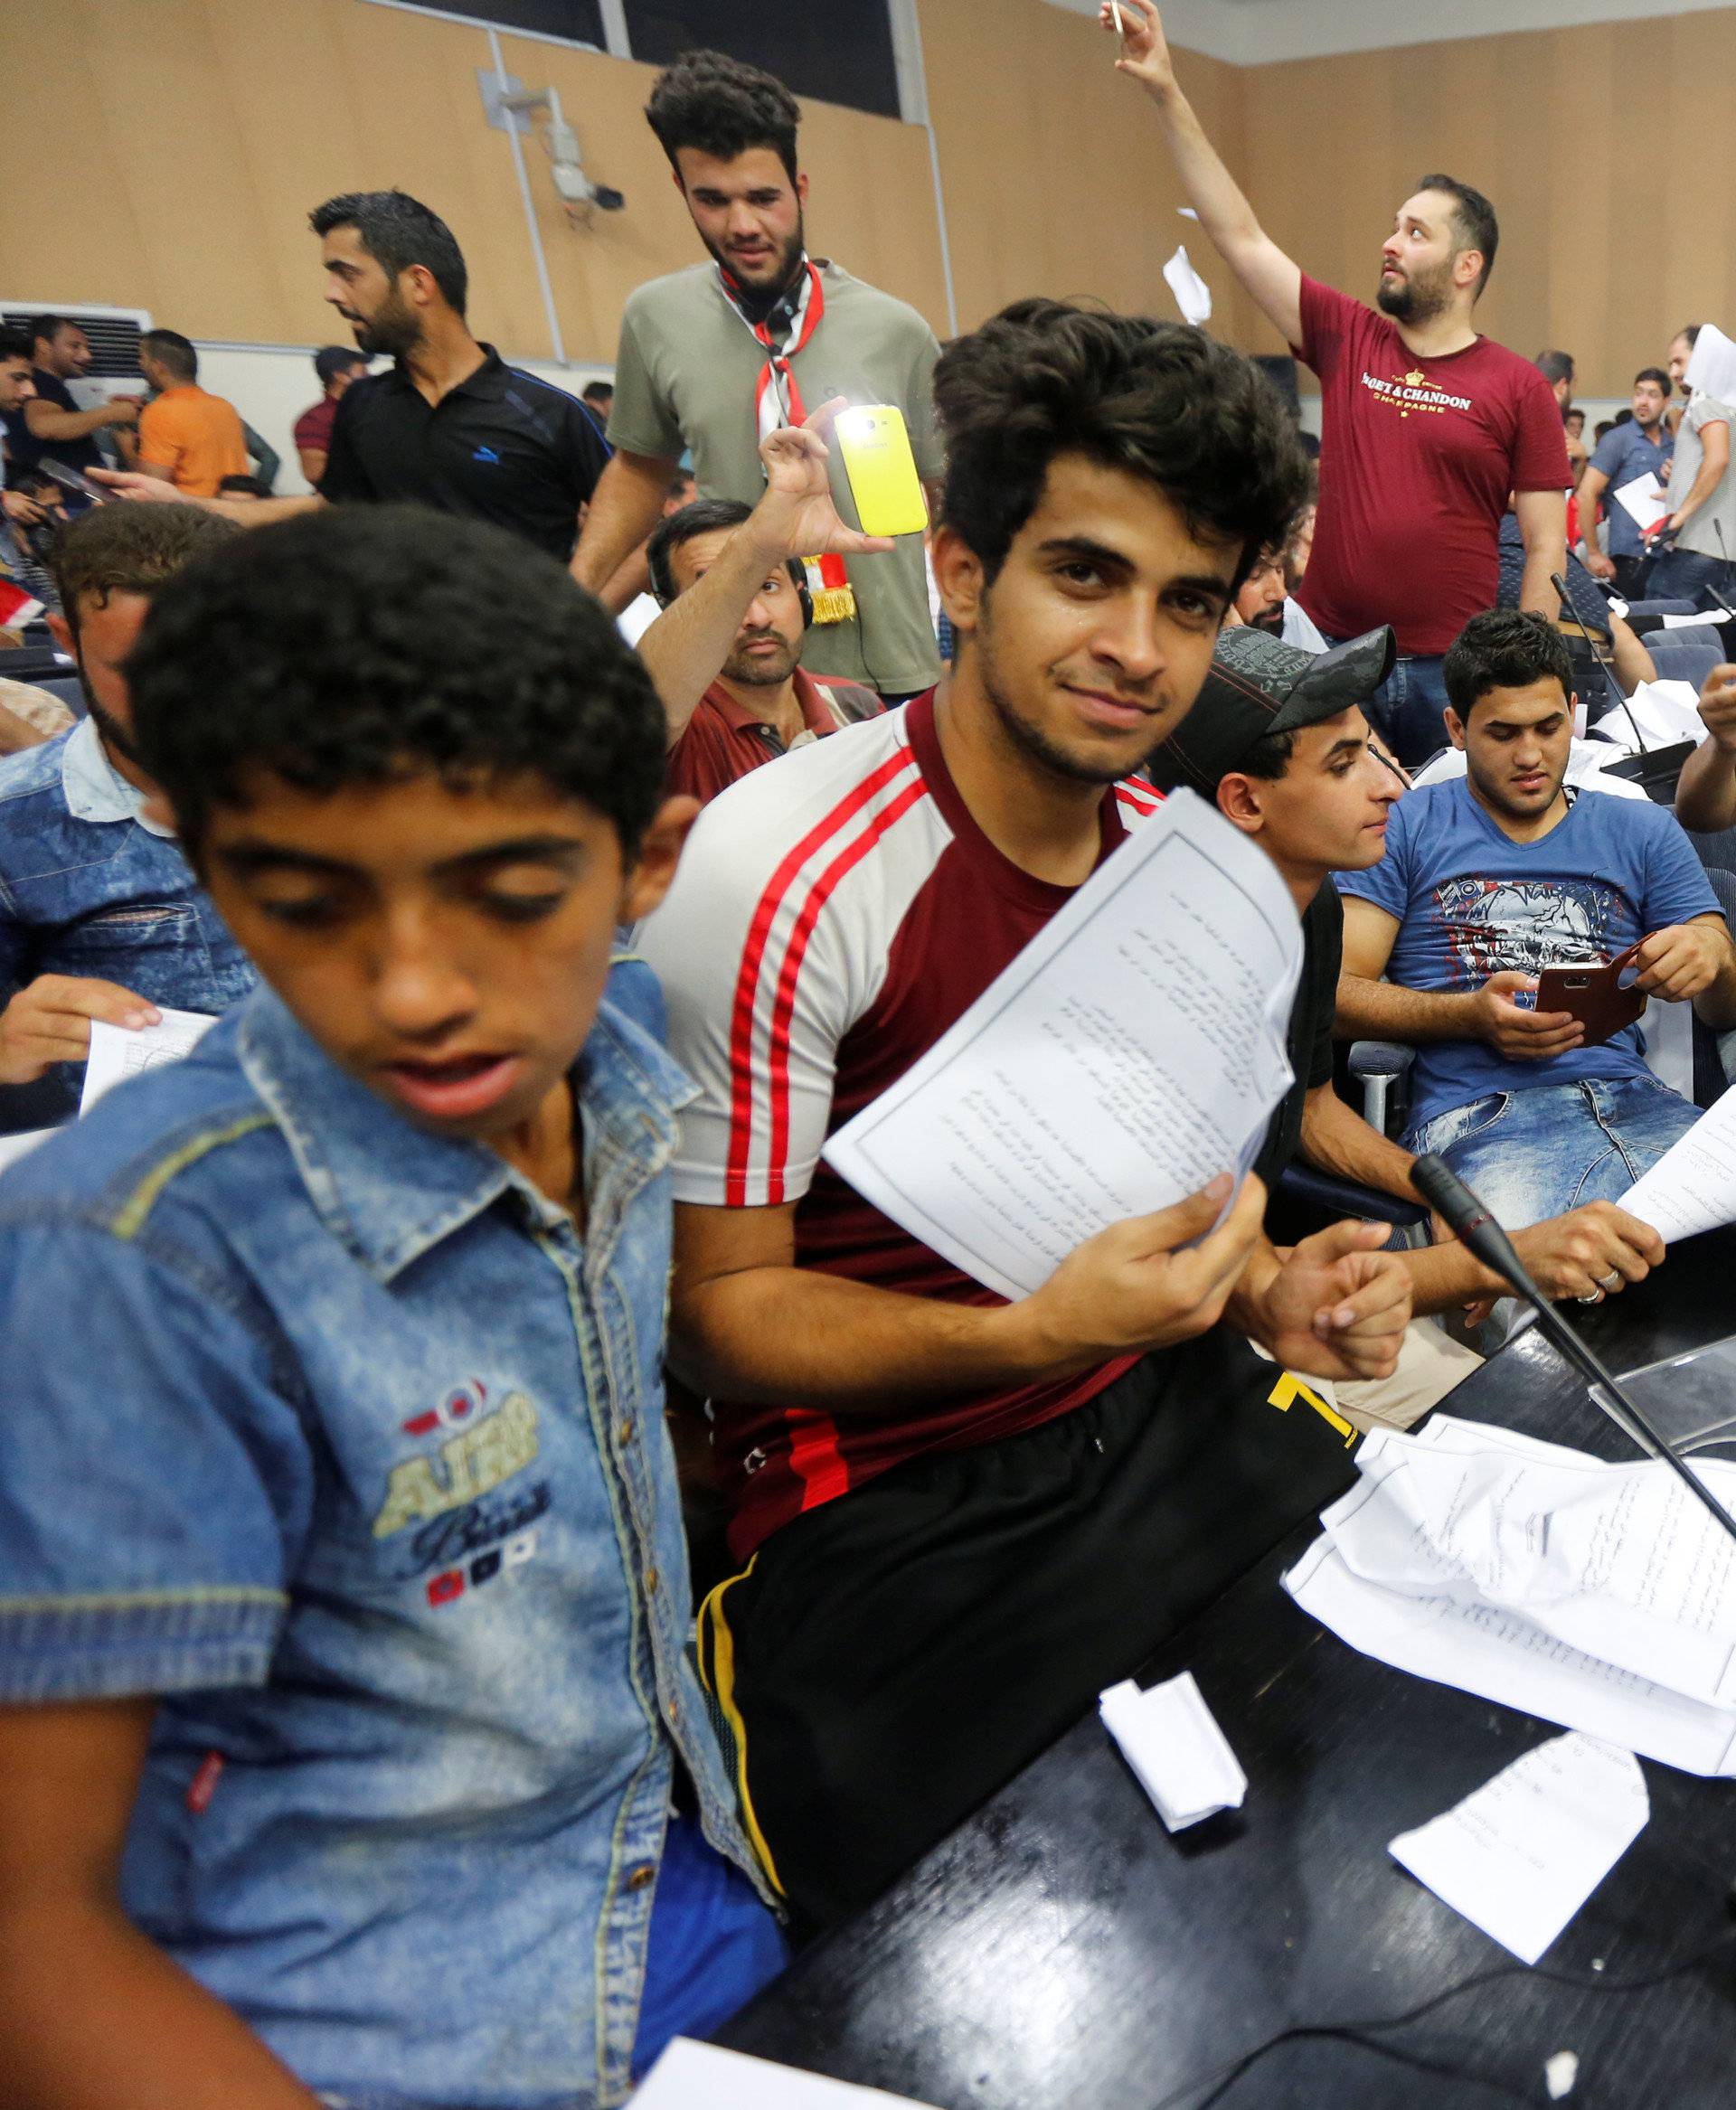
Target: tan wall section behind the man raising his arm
[{"x": 1564, "y": 130}]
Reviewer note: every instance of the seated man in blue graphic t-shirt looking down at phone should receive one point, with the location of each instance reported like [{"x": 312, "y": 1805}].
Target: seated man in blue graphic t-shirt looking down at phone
[{"x": 1488, "y": 881}]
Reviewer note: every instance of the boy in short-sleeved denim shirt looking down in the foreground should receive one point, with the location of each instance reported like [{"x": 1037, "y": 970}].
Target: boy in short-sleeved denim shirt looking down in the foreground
[{"x": 345, "y": 1605}]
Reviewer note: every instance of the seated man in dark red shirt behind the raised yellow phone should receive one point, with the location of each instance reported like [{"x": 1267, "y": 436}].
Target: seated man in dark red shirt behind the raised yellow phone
[{"x": 758, "y": 704}]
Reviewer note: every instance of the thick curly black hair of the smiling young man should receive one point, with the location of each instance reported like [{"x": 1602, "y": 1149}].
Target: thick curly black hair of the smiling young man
[{"x": 1161, "y": 400}]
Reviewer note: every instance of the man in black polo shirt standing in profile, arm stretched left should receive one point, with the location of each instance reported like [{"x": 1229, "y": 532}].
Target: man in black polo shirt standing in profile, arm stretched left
[{"x": 450, "y": 425}]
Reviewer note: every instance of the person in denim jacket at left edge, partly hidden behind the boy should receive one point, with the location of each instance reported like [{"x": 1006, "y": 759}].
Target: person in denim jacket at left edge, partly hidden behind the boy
[{"x": 100, "y": 915}]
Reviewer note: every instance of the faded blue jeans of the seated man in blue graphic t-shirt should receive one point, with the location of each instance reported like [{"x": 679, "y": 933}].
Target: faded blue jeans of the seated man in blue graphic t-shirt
[{"x": 1532, "y": 1155}]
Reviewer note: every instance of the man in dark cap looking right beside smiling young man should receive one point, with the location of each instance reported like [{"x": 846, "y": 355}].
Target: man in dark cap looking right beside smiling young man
[{"x": 1279, "y": 744}]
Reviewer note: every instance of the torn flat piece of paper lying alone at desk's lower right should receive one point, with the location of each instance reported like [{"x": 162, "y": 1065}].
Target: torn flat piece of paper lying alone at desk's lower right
[{"x": 1524, "y": 1854}]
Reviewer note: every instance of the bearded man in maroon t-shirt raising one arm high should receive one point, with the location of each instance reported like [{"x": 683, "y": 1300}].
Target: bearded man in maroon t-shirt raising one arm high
[{"x": 1427, "y": 425}]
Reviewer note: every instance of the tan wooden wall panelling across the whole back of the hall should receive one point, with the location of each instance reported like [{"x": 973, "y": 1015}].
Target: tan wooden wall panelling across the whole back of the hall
[{"x": 182, "y": 145}]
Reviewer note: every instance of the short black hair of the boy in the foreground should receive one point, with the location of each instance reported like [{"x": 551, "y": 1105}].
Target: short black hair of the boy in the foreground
[{"x": 362, "y": 645}]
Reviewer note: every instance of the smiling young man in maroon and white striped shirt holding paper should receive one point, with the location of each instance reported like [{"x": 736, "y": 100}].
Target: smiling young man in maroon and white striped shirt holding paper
[{"x": 961, "y": 1518}]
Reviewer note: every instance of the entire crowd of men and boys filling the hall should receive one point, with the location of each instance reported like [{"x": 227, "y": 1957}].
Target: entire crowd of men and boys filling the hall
[{"x": 571, "y": 818}]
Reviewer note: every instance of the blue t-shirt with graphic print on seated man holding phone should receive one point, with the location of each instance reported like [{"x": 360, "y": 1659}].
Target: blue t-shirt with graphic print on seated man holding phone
[{"x": 1473, "y": 904}]
